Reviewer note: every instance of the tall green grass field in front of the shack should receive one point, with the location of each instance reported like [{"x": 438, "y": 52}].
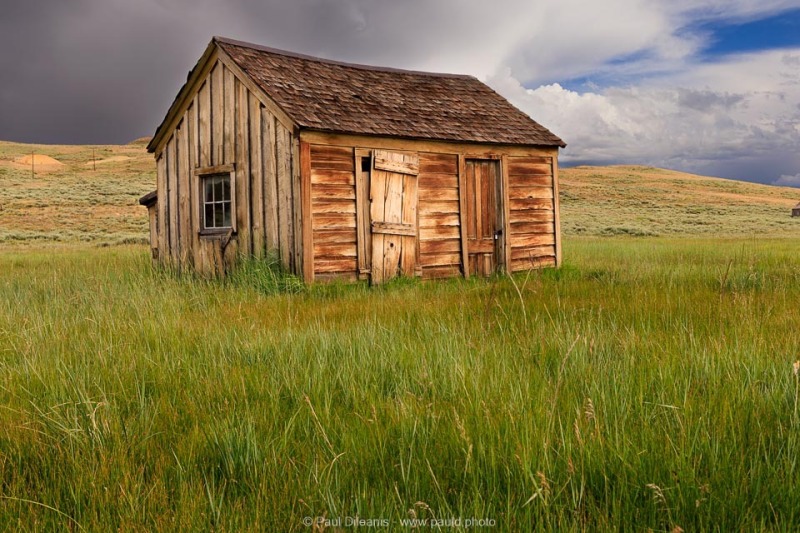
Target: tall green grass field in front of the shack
[{"x": 647, "y": 385}]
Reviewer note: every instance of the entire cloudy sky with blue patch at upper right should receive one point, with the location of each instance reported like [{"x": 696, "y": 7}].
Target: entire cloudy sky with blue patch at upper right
[{"x": 704, "y": 86}]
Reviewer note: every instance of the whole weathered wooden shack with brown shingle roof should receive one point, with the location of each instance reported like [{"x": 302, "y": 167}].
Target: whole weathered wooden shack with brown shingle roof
[{"x": 349, "y": 171}]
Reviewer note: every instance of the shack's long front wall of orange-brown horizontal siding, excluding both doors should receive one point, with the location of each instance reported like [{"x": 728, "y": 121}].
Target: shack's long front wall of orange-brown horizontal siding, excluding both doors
[{"x": 530, "y": 206}]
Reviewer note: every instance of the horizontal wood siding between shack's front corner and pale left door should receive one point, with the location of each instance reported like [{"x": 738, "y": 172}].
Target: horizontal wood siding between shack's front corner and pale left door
[{"x": 333, "y": 208}]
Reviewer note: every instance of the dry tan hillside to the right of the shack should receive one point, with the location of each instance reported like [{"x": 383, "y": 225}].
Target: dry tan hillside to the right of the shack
[{"x": 633, "y": 200}]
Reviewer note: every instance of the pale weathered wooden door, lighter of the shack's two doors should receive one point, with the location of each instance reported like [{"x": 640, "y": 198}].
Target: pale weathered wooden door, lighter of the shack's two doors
[{"x": 393, "y": 214}]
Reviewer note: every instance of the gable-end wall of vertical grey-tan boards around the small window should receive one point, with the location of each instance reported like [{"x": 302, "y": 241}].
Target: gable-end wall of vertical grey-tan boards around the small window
[{"x": 226, "y": 123}]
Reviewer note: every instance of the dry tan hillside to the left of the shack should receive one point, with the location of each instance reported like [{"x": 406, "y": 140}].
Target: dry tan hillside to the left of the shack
[{"x": 76, "y": 193}]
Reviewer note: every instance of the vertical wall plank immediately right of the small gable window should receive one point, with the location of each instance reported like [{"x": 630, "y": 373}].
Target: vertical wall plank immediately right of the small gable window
[{"x": 243, "y": 153}]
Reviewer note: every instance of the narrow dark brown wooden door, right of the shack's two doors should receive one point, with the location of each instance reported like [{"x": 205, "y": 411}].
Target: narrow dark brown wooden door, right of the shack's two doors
[{"x": 483, "y": 221}]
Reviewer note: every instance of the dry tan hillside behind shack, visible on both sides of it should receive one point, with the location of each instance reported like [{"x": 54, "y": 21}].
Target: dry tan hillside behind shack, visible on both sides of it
[{"x": 76, "y": 195}]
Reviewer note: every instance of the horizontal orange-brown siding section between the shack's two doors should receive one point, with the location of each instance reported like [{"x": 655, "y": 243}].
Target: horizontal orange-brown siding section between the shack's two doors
[{"x": 439, "y": 220}]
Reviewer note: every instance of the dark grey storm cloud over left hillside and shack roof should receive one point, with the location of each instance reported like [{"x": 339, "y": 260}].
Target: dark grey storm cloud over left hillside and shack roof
[{"x": 105, "y": 71}]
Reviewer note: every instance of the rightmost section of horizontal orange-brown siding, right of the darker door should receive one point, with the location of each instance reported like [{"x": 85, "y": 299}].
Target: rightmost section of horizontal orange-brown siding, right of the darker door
[{"x": 532, "y": 212}]
